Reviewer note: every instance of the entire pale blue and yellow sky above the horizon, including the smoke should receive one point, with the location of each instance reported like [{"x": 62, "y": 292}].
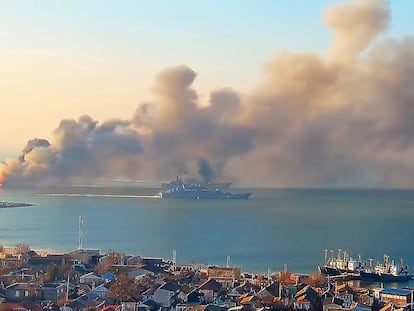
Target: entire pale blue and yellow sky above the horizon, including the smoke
[{"x": 285, "y": 92}]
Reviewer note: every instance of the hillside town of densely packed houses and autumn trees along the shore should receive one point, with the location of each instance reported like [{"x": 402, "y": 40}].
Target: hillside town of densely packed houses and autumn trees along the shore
[{"x": 86, "y": 279}]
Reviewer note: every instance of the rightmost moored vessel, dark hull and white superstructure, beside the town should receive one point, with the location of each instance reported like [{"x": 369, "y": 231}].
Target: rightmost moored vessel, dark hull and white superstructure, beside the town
[{"x": 386, "y": 272}]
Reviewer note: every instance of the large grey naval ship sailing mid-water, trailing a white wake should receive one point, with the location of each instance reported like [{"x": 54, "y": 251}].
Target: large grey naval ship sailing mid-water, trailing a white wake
[{"x": 181, "y": 190}]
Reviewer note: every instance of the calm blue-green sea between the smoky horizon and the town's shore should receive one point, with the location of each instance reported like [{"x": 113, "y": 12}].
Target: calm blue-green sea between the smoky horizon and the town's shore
[{"x": 275, "y": 229}]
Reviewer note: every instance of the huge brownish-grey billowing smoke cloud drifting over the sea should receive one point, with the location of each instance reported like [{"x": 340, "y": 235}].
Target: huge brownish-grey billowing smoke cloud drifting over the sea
[{"x": 341, "y": 119}]
